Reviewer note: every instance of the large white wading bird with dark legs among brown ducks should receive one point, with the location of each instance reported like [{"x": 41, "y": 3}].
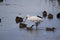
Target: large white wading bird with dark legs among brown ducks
[{"x": 35, "y": 19}]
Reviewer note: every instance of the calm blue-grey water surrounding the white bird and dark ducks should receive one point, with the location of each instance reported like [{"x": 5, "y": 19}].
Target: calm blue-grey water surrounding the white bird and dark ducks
[{"x": 9, "y": 9}]
